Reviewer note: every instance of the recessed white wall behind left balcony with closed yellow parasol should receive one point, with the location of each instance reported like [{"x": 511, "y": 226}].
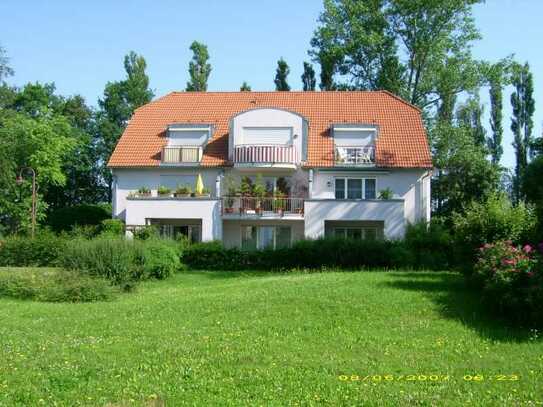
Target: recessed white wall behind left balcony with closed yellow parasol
[{"x": 130, "y": 180}]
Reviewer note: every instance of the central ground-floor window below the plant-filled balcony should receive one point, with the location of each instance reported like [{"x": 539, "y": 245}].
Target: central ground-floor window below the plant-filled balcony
[{"x": 265, "y": 237}]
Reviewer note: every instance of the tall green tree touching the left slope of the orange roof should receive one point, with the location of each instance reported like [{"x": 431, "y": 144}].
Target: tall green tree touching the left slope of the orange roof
[{"x": 117, "y": 105}]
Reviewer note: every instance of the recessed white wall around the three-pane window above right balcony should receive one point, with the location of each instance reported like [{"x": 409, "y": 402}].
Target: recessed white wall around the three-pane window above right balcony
[{"x": 405, "y": 184}]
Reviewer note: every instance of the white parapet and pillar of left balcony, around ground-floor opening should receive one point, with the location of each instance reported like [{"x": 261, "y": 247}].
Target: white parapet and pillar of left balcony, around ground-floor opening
[{"x": 208, "y": 210}]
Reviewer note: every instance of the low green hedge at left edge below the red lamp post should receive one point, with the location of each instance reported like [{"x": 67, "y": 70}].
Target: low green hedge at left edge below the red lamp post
[{"x": 43, "y": 250}]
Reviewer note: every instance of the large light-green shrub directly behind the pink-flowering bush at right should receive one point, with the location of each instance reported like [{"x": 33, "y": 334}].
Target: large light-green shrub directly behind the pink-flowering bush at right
[{"x": 489, "y": 221}]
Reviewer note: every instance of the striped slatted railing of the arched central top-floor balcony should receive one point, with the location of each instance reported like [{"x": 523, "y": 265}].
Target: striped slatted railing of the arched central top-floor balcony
[{"x": 265, "y": 154}]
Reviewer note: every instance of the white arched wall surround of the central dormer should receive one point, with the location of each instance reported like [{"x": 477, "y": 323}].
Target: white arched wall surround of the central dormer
[{"x": 266, "y": 117}]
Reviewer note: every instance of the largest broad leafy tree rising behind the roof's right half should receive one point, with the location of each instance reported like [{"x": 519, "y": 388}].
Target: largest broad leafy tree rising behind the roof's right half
[{"x": 409, "y": 47}]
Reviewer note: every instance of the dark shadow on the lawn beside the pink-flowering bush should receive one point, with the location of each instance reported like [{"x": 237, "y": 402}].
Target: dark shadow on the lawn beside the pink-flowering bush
[{"x": 455, "y": 300}]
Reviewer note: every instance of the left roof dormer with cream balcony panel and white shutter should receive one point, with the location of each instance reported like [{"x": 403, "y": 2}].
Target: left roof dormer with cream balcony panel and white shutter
[{"x": 185, "y": 143}]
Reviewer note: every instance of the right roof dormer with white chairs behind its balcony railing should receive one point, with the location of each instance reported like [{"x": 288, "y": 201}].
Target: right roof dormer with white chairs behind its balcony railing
[{"x": 354, "y": 144}]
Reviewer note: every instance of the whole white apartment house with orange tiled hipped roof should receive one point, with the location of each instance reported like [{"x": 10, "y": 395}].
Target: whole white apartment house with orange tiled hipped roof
[{"x": 275, "y": 166}]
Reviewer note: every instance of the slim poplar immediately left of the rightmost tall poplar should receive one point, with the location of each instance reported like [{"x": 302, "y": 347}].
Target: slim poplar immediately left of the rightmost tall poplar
[{"x": 496, "y": 112}]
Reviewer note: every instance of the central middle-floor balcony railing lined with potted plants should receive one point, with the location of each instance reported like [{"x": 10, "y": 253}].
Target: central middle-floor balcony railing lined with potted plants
[{"x": 237, "y": 205}]
